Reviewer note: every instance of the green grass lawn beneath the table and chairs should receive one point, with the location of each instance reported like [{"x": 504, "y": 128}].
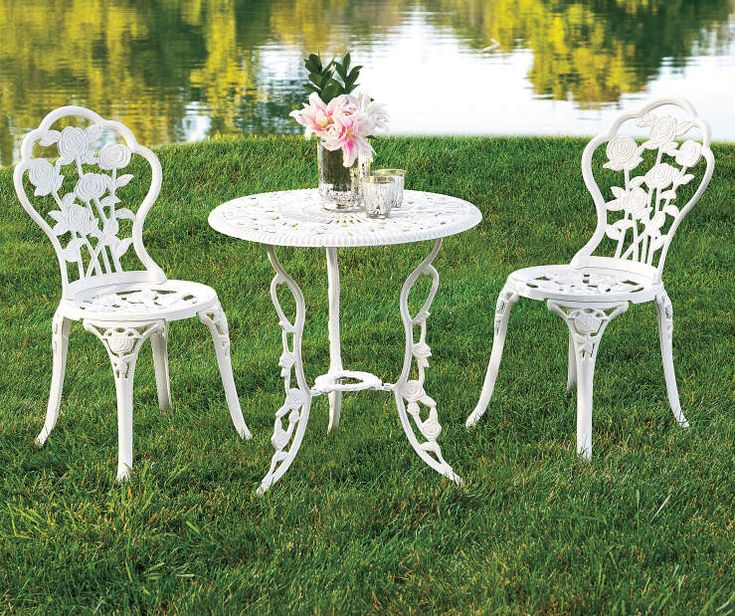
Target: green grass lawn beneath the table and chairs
[{"x": 359, "y": 523}]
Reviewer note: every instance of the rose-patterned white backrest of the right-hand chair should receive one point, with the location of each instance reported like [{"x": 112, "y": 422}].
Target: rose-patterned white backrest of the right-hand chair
[{"x": 653, "y": 182}]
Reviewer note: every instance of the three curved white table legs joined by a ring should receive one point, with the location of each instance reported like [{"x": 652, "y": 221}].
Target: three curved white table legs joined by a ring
[{"x": 416, "y": 410}]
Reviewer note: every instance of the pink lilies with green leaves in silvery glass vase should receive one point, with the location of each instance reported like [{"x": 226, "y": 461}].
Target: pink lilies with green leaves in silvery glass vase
[{"x": 342, "y": 122}]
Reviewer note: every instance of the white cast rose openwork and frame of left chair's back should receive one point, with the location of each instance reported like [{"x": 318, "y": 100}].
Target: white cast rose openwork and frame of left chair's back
[{"x": 87, "y": 224}]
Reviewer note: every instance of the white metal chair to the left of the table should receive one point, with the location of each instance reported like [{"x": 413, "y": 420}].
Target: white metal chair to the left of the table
[{"x": 103, "y": 283}]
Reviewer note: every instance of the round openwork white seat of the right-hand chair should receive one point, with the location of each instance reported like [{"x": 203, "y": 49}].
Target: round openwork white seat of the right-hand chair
[{"x": 582, "y": 284}]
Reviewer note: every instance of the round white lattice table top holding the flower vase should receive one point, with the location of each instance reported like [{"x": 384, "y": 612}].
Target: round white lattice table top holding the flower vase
[{"x": 297, "y": 218}]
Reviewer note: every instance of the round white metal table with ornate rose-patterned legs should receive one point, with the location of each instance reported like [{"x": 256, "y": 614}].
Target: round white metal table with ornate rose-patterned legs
[{"x": 296, "y": 218}]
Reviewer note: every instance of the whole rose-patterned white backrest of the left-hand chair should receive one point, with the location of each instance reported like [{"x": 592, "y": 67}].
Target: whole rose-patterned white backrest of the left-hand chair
[{"x": 77, "y": 188}]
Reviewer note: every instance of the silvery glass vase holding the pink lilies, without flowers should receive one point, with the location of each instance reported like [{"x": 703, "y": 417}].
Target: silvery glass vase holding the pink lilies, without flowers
[{"x": 340, "y": 186}]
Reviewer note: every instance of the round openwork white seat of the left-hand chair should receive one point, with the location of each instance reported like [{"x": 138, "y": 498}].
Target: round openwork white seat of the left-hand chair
[{"x": 170, "y": 301}]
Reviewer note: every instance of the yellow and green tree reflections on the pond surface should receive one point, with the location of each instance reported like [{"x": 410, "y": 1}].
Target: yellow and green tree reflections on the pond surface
[{"x": 238, "y": 61}]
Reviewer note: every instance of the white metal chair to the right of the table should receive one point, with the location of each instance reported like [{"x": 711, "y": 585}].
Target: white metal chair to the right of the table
[{"x": 636, "y": 226}]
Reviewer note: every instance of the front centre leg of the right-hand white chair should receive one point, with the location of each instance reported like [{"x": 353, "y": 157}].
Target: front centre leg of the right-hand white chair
[{"x": 586, "y": 326}]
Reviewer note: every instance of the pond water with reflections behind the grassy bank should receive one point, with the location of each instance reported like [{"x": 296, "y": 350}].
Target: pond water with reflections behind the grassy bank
[{"x": 183, "y": 70}]
